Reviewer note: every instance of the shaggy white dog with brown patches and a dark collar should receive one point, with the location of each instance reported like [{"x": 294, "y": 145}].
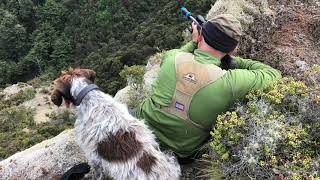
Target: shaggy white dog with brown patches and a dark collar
[{"x": 116, "y": 144}]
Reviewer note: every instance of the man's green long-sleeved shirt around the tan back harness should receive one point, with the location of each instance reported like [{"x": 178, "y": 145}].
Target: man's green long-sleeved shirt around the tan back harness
[{"x": 175, "y": 133}]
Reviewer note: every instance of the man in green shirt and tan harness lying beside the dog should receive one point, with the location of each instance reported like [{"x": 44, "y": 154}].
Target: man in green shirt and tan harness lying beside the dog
[{"x": 191, "y": 89}]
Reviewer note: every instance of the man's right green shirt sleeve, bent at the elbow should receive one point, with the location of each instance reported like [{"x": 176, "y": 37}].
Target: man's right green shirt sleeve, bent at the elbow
[{"x": 251, "y": 75}]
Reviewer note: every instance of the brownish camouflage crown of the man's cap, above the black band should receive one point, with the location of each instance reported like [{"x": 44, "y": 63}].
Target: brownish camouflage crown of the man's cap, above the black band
[{"x": 228, "y": 24}]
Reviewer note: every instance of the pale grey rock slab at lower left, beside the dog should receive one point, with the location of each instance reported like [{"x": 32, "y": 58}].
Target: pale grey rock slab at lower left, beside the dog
[{"x": 46, "y": 160}]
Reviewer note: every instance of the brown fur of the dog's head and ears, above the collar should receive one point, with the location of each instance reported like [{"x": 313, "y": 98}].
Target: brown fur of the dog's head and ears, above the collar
[{"x": 62, "y": 85}]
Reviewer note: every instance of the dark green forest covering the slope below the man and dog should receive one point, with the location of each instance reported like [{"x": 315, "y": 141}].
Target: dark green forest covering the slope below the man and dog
[{"x": 43, "y": 37}]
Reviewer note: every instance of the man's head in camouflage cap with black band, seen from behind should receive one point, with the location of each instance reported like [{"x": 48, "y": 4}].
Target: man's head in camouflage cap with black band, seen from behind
[{"x": 221, "y": 33}]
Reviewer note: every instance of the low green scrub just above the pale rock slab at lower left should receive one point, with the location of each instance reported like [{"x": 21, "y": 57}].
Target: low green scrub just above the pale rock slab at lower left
[{"x": 18, "y": 130}]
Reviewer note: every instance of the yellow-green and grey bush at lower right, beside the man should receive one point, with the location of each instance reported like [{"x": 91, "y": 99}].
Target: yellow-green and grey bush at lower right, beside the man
[{"x": 276, "y": 133}]
